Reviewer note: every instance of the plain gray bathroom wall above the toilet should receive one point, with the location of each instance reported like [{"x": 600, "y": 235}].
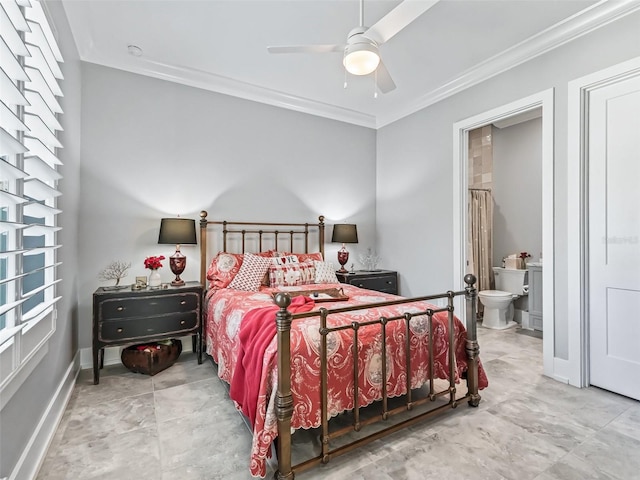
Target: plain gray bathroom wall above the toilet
[{"x": 517, "y": 190}]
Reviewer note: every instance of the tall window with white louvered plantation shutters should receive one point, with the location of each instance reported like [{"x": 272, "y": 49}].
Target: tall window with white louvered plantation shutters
[{"x": 29, "y": 113}]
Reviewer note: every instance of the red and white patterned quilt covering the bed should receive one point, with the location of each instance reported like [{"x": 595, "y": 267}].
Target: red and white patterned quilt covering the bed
[{"x": 226, "y": 311}]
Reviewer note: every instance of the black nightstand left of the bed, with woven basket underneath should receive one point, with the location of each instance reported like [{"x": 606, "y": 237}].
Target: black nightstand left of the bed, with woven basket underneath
[{"x": 122, "y": 317}]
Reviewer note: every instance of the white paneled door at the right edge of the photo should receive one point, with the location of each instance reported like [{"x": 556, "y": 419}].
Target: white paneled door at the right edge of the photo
[{"x": 614, "y": 236}]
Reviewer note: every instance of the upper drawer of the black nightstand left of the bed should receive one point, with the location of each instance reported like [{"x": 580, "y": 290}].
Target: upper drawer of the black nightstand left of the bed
[{"x": 148, "y": 306}]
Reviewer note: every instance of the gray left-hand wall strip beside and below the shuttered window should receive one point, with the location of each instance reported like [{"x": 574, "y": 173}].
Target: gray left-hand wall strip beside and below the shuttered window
[{"x": 21, "y": 415}]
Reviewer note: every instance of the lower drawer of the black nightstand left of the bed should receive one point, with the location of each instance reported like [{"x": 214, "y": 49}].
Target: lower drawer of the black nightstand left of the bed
[{"x": 151, "y": 327}]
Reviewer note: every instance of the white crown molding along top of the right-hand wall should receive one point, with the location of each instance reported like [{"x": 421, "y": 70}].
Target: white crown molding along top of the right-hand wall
[{"x": 582, "y": 23}]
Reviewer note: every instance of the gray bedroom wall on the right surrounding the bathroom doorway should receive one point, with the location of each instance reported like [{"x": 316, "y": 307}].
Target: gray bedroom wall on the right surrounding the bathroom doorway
[{"x": 415, "y": 170}]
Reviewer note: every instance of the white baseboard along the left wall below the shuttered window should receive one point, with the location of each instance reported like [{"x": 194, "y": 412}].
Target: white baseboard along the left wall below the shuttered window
[{"x": 34, "y": 453}]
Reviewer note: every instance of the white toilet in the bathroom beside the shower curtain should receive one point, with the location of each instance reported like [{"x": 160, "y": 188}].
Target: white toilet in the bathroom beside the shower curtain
[{"x": 498, "y": 304}]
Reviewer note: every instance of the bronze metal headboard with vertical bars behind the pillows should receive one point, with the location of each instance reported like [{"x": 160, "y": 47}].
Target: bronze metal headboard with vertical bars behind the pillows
[{"x": 241, "y": 237}]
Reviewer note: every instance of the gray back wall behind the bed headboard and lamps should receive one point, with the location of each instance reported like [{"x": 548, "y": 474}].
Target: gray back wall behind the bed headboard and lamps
[{"x": 152, "y": 148}]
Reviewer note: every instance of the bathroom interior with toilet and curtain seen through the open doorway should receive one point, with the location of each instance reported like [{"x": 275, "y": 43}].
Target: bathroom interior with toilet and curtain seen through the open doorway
[{"x": 505, "y": 218}]
